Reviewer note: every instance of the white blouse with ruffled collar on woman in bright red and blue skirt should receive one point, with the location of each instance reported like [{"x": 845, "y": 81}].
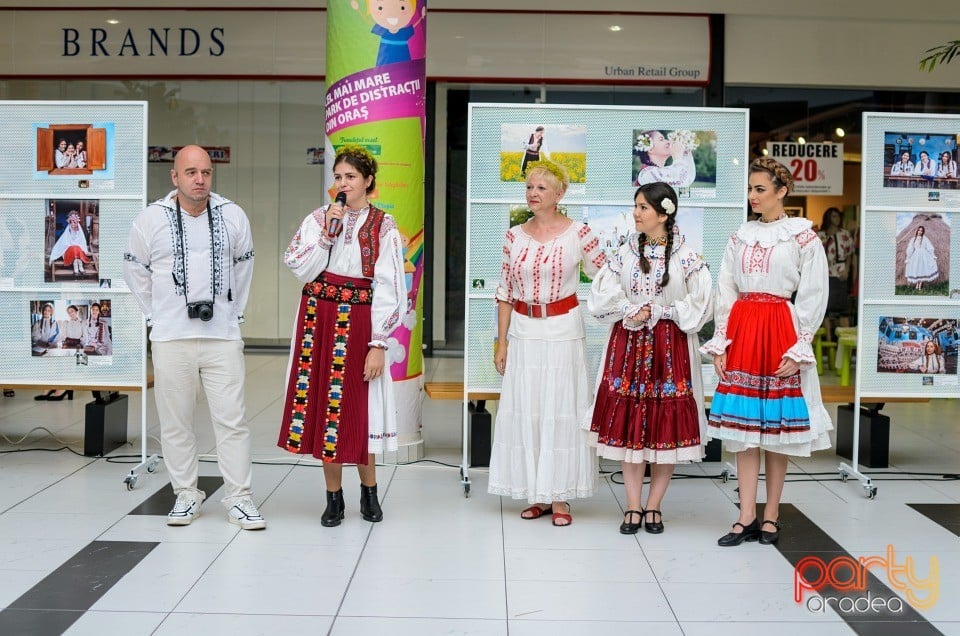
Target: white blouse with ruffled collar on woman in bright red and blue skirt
[{"x": 779, "y": 258}]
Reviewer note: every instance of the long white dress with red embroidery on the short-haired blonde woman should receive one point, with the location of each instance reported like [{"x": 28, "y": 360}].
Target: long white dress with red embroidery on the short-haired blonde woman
[{"x": 540, "y": 453}]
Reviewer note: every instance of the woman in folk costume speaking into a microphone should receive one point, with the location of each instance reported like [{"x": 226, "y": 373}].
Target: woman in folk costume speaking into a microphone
[{"x": 339, "y": 404}]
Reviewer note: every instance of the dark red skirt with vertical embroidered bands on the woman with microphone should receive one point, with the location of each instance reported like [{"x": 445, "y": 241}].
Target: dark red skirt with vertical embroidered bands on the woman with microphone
[{"x": 325, "y": 408}]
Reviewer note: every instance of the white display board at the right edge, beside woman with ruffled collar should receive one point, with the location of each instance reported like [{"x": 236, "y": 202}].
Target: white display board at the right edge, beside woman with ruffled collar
[{"x": 909, "y": 327}]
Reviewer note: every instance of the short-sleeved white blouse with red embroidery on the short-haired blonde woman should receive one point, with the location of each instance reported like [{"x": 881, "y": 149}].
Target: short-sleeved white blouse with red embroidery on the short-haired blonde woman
[{"x": 540, "y": 273}]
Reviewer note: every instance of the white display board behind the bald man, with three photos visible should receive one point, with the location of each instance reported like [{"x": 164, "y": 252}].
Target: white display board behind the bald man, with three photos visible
[{"x": 63, "y": 160}]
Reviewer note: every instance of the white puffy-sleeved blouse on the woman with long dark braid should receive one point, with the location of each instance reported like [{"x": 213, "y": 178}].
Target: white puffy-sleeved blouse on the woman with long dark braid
[{"x": 621, "y": 289}]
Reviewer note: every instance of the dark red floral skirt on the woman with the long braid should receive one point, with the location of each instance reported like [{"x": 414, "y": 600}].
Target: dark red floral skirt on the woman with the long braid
[{"x": 645, "y": 399}]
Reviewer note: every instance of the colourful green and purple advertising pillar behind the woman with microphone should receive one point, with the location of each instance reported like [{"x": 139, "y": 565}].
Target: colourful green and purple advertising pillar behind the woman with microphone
[{"x": 376, "y": 97}]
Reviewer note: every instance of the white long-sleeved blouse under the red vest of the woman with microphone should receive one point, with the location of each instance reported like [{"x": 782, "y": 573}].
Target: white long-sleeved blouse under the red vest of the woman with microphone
[{"x": 311, "y": 252}]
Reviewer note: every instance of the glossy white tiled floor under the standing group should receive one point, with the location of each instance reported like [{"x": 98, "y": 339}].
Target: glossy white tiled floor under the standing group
[{"x": 441, "y": 563}]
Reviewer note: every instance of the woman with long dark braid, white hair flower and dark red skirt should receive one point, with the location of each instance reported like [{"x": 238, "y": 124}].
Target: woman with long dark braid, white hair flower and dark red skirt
[{"x": 649, "y": 405}]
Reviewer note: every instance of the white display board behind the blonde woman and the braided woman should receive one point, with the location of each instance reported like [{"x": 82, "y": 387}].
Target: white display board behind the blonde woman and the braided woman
[{"x": 603, "y": 149}]
